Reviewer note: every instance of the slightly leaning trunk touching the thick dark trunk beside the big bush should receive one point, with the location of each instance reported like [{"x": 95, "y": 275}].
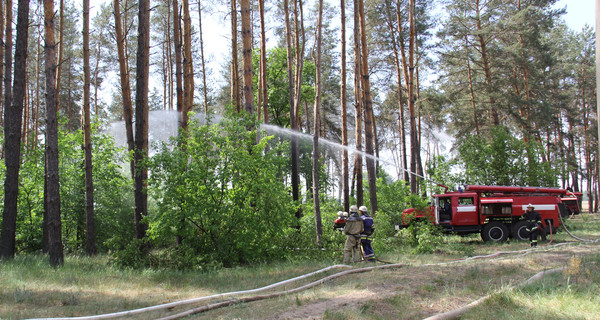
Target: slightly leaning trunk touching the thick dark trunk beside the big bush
[{"x": 124, "y": 78}]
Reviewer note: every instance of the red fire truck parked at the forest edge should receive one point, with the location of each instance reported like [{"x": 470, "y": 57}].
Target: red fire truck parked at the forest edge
[{"x": 495, "y": 211}]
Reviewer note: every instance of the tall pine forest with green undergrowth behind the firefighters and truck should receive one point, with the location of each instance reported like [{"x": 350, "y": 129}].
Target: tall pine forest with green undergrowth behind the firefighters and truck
[{"x": 178, "y": 133}]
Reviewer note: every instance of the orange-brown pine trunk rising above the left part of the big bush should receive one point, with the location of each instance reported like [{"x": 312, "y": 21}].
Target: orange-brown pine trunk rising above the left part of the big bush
[{"x": 188, "y": 66}]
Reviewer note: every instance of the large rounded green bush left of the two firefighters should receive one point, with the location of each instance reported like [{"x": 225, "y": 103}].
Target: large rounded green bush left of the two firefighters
[{"x": 219, "y": 193}]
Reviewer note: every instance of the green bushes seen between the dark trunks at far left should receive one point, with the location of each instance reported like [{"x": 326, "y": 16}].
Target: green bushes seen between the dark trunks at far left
[{"x": 112, "y": 199}]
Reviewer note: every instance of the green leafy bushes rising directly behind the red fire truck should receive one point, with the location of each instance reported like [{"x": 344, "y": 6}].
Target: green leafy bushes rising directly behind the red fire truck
[{"x": 504, "y": 159}]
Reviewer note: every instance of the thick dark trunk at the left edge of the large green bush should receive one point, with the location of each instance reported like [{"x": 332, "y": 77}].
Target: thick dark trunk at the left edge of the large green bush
[{"x": 141, "y": 117}]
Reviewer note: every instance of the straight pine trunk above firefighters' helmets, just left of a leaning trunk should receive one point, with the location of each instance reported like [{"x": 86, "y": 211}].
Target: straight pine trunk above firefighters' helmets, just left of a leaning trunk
[{"x": 358, "y": 106}]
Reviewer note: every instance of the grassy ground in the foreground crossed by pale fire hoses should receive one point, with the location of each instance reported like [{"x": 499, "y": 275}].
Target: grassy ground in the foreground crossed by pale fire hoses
[{"x": 427, "y": 284}]
